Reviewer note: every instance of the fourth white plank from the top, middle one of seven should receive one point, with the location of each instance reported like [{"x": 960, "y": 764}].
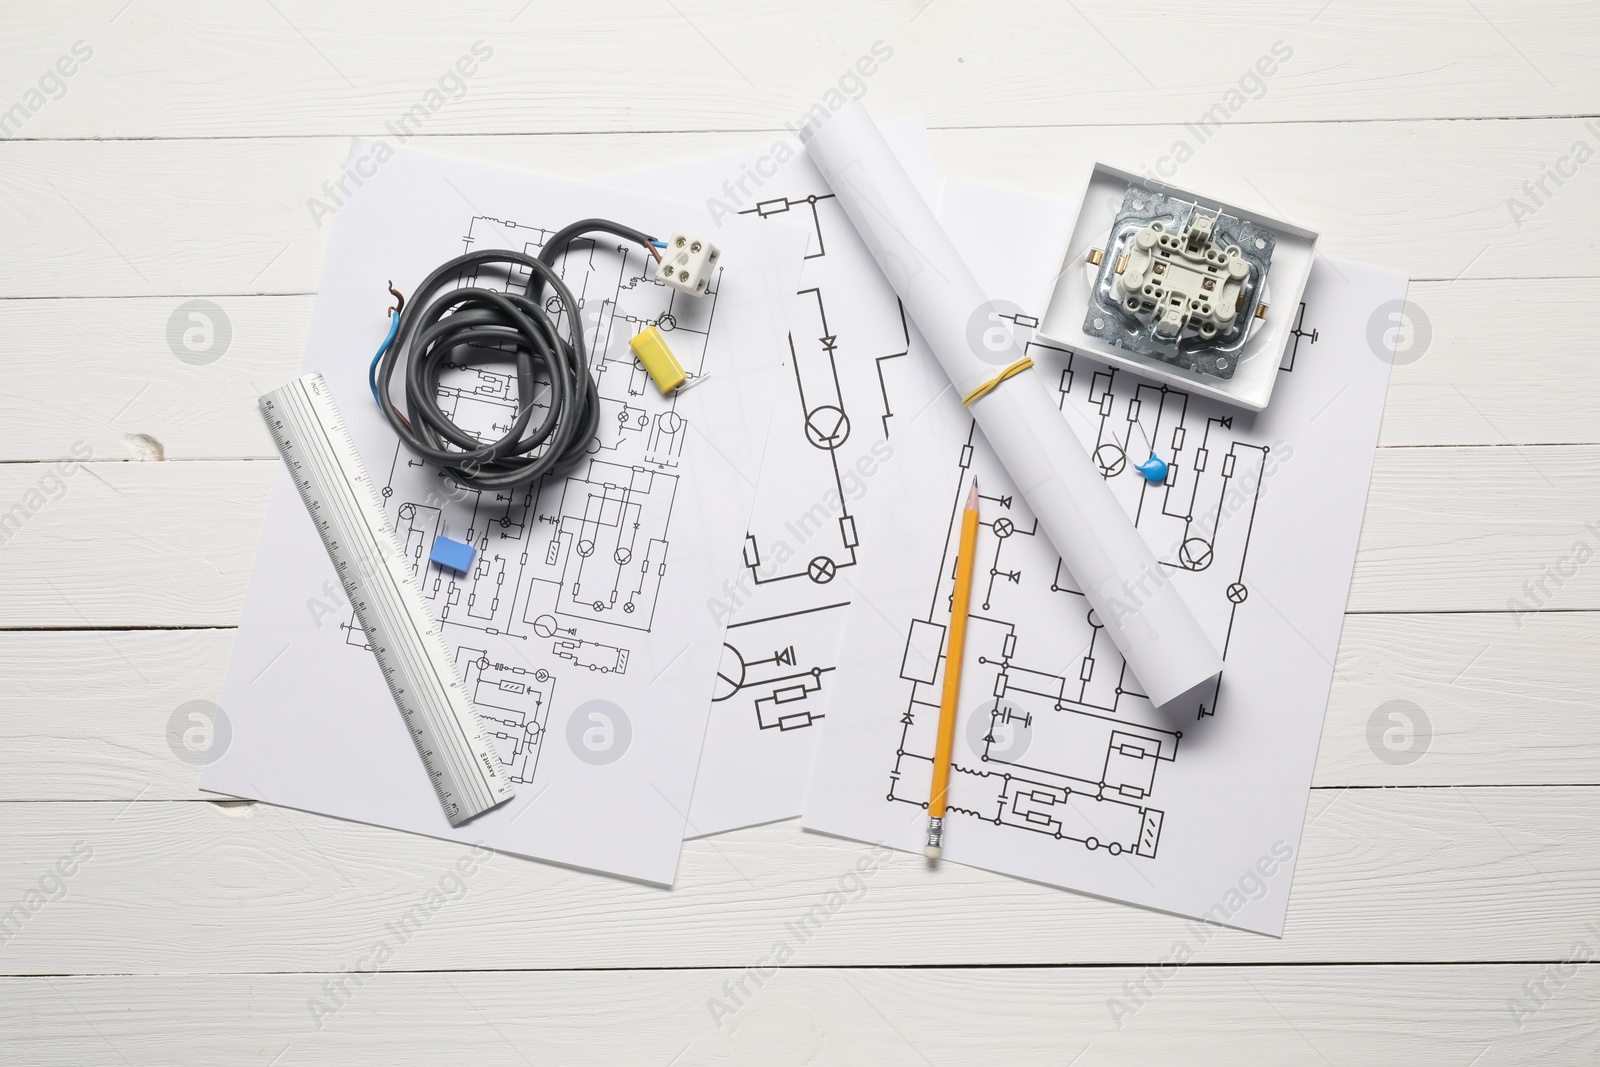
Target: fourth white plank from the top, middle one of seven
[{"x": 172, "y": 543}]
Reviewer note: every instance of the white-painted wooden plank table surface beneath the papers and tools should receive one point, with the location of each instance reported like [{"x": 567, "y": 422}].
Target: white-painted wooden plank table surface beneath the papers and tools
[{"x": 1439, "y": 903}]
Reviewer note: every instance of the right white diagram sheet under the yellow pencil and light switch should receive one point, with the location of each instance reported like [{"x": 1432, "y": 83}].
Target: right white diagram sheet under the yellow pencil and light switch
[{"x": 1063, "y": 772}]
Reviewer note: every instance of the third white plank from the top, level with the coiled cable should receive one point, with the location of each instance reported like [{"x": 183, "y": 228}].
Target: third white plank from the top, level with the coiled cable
[{"x": 130, "y": 393}]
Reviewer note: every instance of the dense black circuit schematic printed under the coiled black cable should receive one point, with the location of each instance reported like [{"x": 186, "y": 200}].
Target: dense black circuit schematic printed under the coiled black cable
[{"x": 570, "y": 567}]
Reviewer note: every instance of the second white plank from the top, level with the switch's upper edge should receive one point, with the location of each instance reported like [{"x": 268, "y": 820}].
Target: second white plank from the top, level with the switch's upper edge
[{"x": 1423, "y": 198}]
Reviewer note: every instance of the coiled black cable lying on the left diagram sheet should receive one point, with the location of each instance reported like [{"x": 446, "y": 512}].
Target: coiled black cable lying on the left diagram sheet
[{"x": 447, "y": 326}]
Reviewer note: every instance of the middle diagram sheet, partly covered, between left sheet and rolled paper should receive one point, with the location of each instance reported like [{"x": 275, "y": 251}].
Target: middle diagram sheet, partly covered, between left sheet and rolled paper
[{"x": 831, "y": 433}]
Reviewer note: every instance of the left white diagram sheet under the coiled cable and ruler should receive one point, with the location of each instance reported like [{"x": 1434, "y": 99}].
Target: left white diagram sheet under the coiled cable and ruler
[{"x": 580, "y": 628}]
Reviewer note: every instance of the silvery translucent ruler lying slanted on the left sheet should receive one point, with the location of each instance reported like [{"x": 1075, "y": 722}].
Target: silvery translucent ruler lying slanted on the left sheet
[{"x": 402, "y": 633}]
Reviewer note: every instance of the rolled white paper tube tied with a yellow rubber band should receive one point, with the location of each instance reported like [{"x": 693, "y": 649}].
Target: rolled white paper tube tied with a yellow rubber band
[{"x": 1130, "y": 593}]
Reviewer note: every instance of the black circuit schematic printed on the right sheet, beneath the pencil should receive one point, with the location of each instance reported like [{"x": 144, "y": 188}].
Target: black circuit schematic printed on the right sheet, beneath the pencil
[{"x": 1063, "y": 743}]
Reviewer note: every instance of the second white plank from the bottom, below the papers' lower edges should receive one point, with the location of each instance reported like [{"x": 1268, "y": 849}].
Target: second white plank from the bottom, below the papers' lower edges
[{"x": 1388, "y": 876}]
